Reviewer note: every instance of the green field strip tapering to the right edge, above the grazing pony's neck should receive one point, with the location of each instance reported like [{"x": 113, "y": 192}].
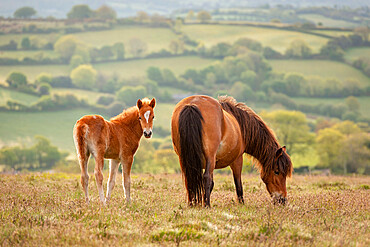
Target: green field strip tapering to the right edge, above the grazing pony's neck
[{"x": 324, "y": 69}]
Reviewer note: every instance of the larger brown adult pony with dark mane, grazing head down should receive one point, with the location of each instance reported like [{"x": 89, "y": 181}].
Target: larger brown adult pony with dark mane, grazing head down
[{"x": 209, "y": 134}]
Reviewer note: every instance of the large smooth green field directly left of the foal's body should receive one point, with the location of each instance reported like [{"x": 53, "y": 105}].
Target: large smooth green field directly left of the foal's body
[{"x": 57, "y": 126}]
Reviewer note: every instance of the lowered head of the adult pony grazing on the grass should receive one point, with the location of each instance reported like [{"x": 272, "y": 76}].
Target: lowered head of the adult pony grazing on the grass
[{"x": 274, "y": 176}]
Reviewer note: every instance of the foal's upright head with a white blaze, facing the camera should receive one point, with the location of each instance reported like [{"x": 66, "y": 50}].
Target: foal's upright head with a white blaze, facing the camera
[{"x": 146, "y": 115}]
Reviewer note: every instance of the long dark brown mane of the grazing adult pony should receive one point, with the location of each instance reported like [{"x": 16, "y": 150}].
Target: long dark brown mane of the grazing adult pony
[{"x": 258, "y": 137}]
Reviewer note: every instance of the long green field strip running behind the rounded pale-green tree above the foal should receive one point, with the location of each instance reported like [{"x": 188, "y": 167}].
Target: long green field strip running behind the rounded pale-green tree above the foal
[{"x": 124, "y": 69}]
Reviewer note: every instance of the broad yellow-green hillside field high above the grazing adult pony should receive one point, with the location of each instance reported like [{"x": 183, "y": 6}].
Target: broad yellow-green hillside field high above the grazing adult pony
[{"x": 276, "y": 39}]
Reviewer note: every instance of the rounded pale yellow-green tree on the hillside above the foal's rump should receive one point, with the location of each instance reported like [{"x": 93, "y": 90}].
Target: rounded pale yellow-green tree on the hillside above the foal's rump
[{"x": 84, "y": 76}]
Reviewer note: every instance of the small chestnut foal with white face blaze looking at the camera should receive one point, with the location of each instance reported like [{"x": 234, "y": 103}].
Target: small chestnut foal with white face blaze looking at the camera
[{"x": 117, "y": 140}]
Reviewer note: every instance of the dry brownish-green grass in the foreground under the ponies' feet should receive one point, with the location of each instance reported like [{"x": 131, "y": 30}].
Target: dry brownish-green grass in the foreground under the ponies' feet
[{"x": 49, "y": 209}]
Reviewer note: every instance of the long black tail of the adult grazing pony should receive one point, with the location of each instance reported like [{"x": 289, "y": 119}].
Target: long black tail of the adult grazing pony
[{"x": 192, "y": 152}]
